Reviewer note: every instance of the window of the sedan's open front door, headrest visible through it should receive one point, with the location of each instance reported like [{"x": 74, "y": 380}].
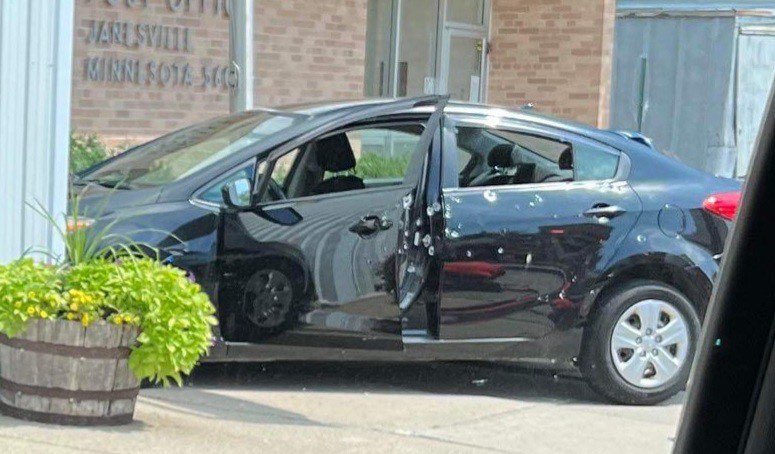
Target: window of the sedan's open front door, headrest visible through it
[{"x": 349, "y": 160}]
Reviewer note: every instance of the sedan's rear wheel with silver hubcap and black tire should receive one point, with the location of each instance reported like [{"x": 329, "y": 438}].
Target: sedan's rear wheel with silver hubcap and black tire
[{"x": 609, "y": 364}]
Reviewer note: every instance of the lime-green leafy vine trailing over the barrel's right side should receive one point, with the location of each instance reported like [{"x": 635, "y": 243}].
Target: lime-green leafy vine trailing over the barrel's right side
[{"x": 174, "y": 315}]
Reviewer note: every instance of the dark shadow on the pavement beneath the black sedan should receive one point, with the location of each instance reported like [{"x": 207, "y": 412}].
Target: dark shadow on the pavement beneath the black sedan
[{"x": 449, "y": 378}]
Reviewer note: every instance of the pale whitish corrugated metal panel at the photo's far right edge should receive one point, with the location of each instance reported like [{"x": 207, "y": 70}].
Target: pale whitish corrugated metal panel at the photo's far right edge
[{"x": 755, "y": 74}]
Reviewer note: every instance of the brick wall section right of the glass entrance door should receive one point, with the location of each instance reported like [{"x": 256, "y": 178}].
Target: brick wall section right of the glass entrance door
[{"x": 555, "y": 54}]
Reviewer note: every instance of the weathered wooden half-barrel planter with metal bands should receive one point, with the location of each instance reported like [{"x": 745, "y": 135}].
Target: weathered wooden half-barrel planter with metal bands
[{"x": 59, "y": 372}]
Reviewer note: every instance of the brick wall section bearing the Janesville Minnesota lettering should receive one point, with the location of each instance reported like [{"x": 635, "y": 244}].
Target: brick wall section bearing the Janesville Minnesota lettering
[{"x": 122, "y": 111}]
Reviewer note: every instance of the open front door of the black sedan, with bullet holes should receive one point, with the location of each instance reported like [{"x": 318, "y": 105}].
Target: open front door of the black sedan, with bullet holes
[{"x": 325, "y": 255}]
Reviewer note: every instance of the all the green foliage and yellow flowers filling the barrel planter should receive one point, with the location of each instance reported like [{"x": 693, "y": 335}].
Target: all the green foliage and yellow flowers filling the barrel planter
[{"x": 105, "y": 277}]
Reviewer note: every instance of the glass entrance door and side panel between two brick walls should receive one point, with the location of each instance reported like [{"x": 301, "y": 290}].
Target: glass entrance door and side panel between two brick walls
[{"x": 416, "y": 47}]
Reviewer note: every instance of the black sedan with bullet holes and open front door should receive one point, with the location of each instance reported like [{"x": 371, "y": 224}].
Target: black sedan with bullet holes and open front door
[{"x": 421, "y": 230}]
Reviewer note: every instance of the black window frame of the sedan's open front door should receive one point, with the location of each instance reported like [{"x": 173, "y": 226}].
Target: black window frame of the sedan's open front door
[{"x": 275, "y": 155}]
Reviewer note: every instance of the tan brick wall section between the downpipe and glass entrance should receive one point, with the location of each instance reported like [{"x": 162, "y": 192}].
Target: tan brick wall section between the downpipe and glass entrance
[{"x": 309, "y": 50}]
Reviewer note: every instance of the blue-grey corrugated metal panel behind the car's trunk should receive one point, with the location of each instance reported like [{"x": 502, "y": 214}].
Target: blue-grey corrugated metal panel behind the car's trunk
[{"x": 673, "y": 82}]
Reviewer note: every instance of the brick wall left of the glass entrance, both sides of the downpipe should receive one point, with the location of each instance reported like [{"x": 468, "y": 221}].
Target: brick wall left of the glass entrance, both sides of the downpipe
[{"x": 305, "y": 51}]
